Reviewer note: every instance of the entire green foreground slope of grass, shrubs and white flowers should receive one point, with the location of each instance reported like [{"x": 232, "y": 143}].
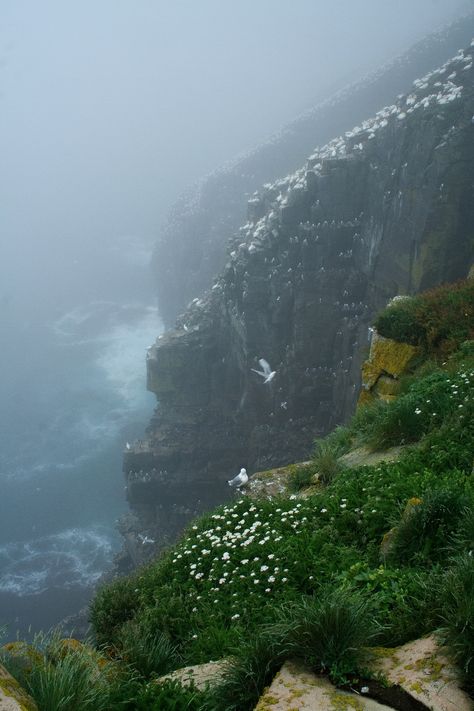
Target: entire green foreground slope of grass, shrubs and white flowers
[{"x": 374, "y": 555}]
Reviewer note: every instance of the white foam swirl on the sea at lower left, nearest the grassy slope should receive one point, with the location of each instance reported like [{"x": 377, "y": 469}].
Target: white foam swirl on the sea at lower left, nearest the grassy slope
[{"x": 72, "y": 558}]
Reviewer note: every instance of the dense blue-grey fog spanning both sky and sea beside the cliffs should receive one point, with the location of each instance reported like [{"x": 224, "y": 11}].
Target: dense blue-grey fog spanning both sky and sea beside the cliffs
[{"x": 108, "y": 110}]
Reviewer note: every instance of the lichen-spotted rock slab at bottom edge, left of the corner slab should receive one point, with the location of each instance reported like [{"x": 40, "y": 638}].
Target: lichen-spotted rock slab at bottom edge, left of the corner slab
[{"x": 296, "y": 688}]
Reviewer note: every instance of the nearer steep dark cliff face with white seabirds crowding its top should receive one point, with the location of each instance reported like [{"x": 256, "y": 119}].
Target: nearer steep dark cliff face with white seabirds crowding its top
[{"x": 386, "y": 209}]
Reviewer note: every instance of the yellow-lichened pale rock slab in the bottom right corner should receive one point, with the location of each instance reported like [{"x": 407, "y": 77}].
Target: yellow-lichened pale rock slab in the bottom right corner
[{"x": 422, "y": 670}]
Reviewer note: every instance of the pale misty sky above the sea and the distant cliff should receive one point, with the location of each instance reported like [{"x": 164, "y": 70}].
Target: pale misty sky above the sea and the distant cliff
[{"x": 109, "y": 108}]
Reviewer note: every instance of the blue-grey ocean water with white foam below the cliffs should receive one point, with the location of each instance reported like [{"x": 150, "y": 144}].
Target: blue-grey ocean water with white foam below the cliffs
[{"x": 72, "y": 392}]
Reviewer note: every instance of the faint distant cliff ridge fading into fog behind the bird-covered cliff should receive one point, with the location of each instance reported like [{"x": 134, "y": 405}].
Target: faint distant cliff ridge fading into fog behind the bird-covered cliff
[{"x": 192, "y": 247}]
